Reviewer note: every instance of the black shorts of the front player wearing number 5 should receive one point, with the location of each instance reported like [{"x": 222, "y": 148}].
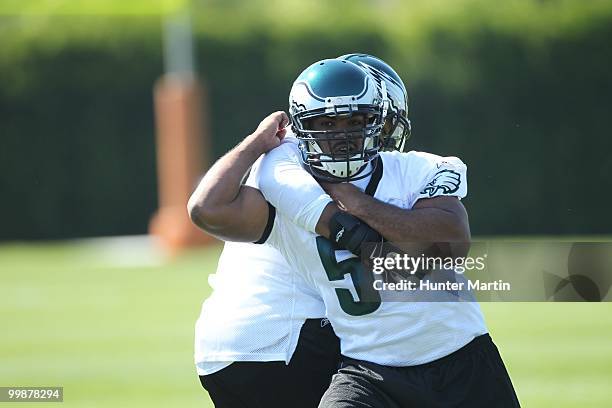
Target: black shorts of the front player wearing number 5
[{"x": 473, "y": 376}]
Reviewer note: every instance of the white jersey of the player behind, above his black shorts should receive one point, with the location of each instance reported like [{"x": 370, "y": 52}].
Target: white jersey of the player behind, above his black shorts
[{"x": 256, "y": 310}]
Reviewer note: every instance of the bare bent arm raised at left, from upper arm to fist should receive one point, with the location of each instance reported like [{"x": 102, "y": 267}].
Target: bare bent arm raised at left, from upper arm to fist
[{"x": 224, "y": 208}]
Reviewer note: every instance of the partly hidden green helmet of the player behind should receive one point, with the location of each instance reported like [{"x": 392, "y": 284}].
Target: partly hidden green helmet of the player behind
[{"x": 397, "y": 127}]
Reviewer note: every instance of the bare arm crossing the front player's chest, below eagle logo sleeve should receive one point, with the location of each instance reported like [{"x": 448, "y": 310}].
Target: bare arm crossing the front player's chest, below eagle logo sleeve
[{"x": 441, "y": 219}]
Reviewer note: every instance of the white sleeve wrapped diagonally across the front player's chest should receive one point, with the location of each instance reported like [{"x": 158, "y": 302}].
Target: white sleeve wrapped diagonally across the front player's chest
[{"x": 289, "y": 187}]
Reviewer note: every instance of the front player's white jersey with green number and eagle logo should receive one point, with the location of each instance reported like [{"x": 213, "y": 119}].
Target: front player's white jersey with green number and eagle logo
[{"x": 395, "y": 333}]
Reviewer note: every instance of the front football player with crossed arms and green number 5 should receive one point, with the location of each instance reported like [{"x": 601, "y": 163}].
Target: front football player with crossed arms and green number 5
[{"x": 395, "y": 354}]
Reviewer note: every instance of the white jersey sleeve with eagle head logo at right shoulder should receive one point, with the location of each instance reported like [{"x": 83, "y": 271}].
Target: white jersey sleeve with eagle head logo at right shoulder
[{"x": 434, "y": 176}]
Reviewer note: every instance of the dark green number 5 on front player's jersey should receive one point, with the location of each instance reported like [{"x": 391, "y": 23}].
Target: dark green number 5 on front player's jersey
[{"x": 369, "y": 298}]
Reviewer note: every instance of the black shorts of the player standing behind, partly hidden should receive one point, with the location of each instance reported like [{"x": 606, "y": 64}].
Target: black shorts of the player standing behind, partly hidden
[{"x": 299, "y": 384}]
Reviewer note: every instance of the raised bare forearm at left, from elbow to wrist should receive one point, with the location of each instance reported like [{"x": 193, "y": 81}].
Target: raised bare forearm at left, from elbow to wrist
[{"x": 209, "y": 205}]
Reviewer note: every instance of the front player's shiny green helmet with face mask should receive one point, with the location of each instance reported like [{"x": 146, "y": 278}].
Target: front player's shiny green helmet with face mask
[{"x": 336, "y": 88}]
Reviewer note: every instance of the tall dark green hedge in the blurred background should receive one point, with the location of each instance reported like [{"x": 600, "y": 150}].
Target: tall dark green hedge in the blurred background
[{"x": 521, "y": 91}]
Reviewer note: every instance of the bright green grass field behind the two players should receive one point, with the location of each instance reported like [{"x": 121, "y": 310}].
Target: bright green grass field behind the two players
[{"x": 113, "y": 324}]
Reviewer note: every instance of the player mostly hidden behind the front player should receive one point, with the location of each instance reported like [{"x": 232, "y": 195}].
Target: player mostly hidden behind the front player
[{"x": 262, "y": 321}]
